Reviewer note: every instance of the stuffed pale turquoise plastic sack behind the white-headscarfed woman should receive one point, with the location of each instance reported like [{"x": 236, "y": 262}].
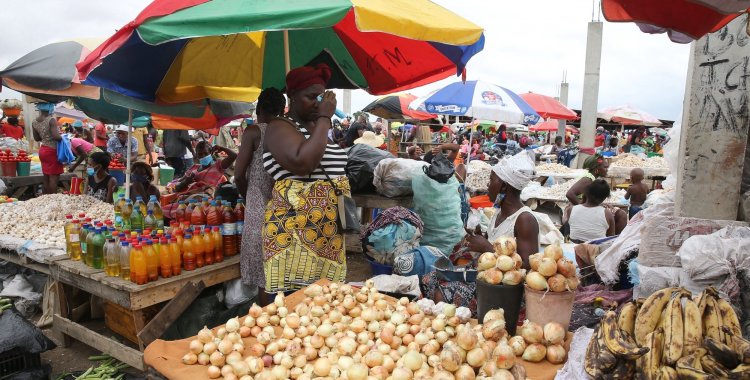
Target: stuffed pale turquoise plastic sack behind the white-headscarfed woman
[{"x": 439, "y": 206}]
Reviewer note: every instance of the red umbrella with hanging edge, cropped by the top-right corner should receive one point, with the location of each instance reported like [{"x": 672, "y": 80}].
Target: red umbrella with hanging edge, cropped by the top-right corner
[{"x": 682, "y": 20}]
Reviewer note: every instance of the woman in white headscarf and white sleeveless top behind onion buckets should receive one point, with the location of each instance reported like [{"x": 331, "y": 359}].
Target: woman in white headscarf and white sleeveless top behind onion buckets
[{"x": 513, "y": 219}]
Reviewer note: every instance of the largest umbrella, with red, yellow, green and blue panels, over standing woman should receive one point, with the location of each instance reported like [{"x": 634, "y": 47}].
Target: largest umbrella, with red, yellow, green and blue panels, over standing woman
[{"x": 183, "y": 50}]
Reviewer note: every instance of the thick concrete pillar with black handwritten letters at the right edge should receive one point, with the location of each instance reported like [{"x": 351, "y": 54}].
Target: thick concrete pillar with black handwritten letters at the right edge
[{"x": 715, "y": 125}]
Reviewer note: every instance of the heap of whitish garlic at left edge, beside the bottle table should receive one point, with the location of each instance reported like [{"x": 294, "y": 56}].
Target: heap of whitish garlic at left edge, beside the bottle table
[{"x": 42, "y": 219}]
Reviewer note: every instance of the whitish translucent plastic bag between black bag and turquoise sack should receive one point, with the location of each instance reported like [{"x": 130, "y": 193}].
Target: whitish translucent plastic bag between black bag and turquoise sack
[{"x": 393, "y": 176}]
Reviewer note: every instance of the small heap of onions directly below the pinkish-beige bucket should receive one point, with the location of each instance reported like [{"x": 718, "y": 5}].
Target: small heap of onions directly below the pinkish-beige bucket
[{"x": 537, "y": 343}]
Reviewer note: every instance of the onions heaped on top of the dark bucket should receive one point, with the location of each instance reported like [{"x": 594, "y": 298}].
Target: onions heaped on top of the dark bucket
[{"x": 502, "y": 266}]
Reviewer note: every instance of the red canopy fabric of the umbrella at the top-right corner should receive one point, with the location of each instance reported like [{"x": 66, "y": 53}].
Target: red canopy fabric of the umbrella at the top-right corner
[{"x": 684, "y": 16}]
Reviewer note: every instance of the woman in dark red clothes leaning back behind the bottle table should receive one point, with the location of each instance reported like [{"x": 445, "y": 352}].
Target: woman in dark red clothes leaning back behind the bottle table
[{"x": 203, "y": 178}]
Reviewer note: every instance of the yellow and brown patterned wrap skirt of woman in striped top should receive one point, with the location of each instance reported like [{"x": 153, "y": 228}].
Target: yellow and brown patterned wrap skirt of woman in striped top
[{"x": 301, "y": 238}]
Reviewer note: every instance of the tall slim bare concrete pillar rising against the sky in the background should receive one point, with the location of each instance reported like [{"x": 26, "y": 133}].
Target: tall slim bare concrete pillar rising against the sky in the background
[{"x": 590, "y": 87}]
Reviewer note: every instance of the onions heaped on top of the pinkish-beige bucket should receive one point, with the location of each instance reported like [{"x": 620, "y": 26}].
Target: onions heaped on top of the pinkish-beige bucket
[{"x": 551, "y": 271}]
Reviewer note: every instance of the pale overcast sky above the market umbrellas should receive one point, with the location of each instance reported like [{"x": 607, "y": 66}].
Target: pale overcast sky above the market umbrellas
[{"x": 528, "y": 46}]
